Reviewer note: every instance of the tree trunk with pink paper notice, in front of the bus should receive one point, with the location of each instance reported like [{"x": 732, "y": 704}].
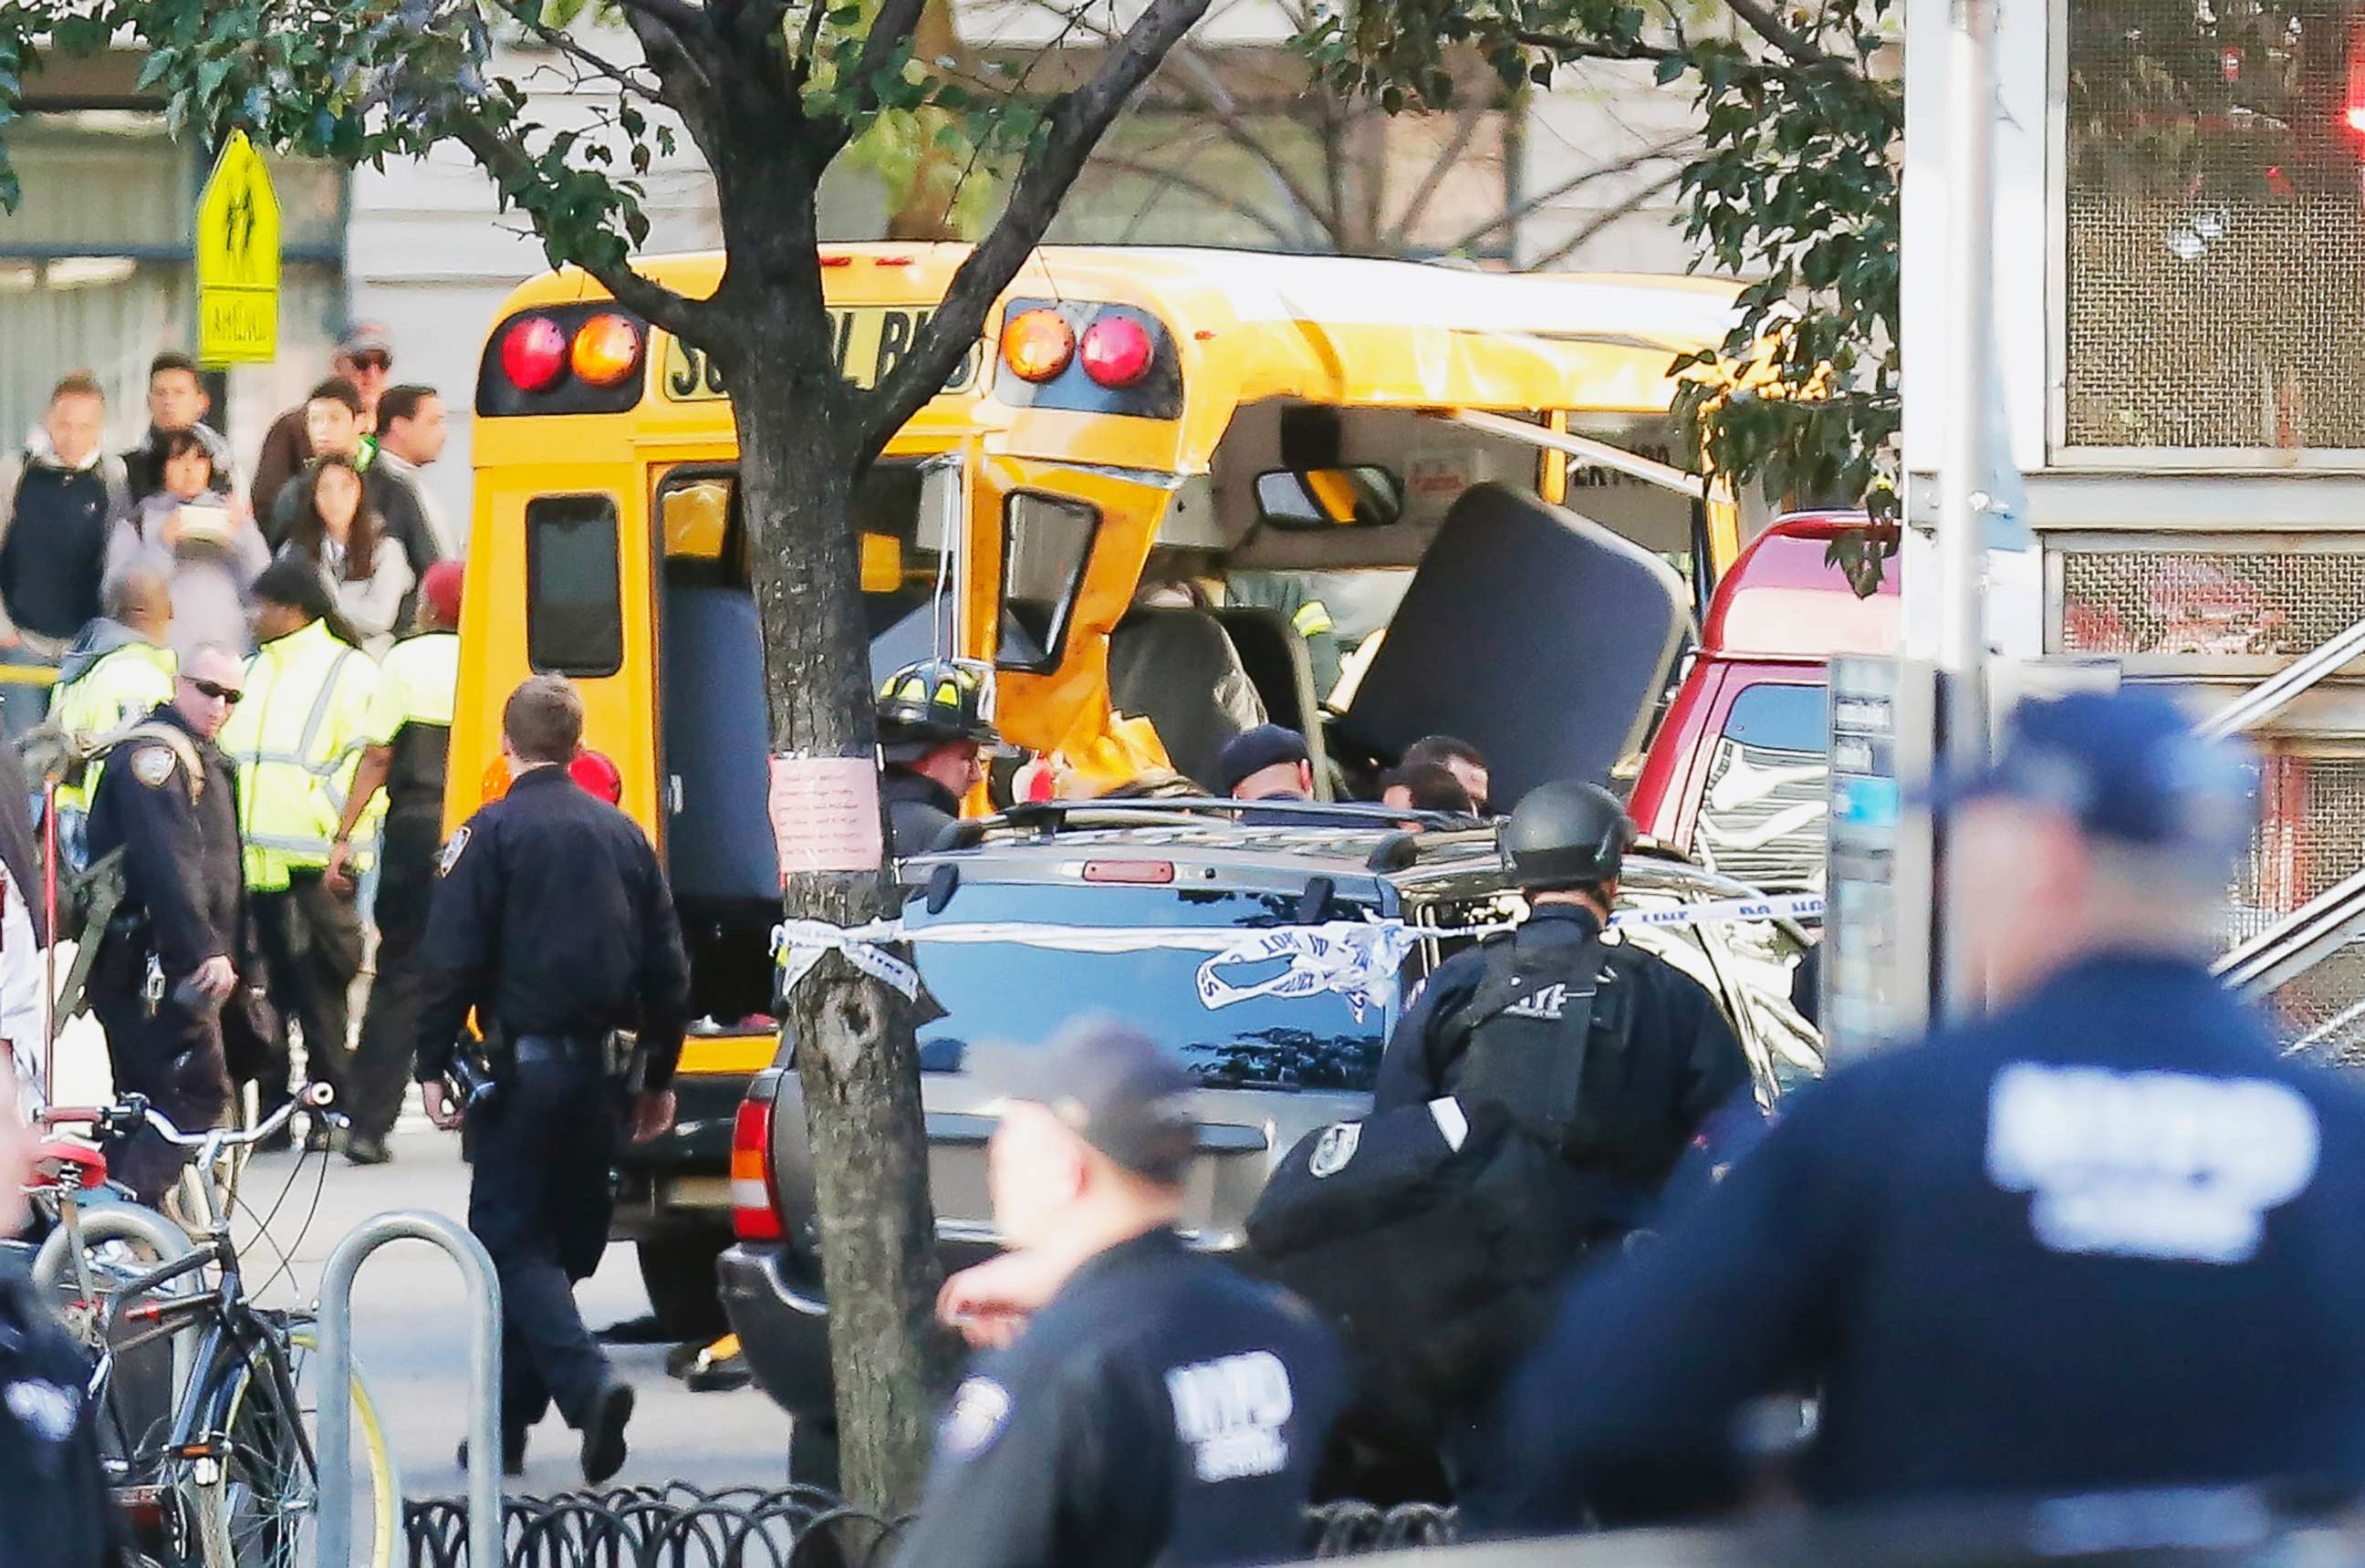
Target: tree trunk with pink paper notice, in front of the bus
[{"x": 855, "y": 1037}]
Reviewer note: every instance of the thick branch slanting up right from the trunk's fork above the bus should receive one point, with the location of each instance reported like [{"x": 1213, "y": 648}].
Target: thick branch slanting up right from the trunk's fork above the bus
[{"x": 1054, "y": 164}]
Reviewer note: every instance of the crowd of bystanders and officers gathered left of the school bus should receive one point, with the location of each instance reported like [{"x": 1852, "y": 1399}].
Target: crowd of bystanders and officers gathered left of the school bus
[{"x": 285, "y": 647}]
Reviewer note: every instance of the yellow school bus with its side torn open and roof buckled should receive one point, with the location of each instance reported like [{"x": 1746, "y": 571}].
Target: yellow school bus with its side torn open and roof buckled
[{"x": 1257, "y": 448}]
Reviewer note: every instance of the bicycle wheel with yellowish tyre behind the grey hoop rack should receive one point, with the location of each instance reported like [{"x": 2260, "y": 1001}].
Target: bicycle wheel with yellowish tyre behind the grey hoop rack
[{"x": 257, "y": 1498}]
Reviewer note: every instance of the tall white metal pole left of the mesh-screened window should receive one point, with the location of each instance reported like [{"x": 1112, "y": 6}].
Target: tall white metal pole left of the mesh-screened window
[{"x": 1962, "y": 526}]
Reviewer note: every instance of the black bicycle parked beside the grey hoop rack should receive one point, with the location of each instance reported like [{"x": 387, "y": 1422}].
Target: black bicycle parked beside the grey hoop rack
[{"x": 228, "y": 1477}]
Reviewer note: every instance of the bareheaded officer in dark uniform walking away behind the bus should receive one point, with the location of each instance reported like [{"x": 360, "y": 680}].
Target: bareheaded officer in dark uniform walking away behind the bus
[{"x": 555, "y": 924}]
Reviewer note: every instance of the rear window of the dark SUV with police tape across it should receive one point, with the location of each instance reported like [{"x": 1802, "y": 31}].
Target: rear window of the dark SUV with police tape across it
[{"x": 1002, "y": 994}]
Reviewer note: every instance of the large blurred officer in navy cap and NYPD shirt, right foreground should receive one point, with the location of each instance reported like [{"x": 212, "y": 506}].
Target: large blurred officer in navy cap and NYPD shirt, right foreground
[{"x": 2101, "y": 1238}]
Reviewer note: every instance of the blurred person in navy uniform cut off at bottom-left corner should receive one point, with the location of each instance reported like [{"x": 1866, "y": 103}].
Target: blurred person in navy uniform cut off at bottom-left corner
[{"x": 53, "y": 1489}]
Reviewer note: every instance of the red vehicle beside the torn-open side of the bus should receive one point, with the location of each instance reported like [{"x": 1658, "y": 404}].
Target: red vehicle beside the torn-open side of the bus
[{"x": 1735, "y": 777}]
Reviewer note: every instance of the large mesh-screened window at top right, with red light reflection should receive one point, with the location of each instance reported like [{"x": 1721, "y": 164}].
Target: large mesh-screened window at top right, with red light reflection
[{"x": 2215, "y": 226}]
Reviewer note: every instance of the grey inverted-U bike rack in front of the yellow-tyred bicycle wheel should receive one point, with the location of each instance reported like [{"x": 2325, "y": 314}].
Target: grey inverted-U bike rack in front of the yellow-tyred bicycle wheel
[{"x": 484, "y": 1378}]
